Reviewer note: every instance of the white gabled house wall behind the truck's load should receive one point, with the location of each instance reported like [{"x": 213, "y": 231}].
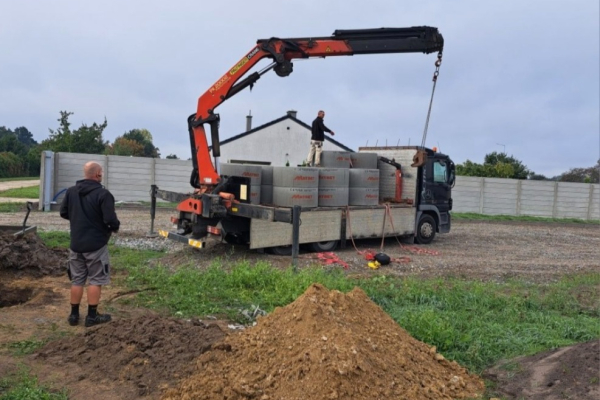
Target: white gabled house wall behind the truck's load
[{"x": 272, "y": 143}]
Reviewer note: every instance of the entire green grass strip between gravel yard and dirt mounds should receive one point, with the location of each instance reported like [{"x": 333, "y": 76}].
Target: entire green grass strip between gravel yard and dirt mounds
[{"x": 474, "y": 323}]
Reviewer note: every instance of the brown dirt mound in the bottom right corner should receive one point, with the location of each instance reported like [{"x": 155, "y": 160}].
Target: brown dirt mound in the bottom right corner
[{"x": 566, "y": 373}]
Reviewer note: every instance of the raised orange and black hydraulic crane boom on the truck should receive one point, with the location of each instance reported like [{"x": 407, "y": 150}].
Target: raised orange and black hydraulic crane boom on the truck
[{"x": 282, "y": 51}]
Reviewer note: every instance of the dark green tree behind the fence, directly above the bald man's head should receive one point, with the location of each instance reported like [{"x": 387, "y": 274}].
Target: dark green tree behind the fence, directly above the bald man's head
[{"x": 85, "y": 139}]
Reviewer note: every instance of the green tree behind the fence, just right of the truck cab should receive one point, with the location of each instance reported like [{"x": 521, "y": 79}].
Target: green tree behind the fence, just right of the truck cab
[{"x": 495, "y": 165}]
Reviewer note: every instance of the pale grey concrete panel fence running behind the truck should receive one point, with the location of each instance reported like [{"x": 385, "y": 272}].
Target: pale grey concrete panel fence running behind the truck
[{"x": 129, "y": 179}]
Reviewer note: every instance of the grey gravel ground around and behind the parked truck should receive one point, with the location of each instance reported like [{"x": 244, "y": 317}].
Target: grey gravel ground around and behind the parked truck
[{"x": 537, "y": 252}]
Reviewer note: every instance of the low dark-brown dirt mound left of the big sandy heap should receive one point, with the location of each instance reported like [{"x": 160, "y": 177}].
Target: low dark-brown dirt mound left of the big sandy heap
[{"x": 149, "y": 352}]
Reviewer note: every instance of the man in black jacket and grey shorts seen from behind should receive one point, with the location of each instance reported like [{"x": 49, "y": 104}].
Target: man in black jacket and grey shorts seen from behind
[{"x": 90, "y": 209}]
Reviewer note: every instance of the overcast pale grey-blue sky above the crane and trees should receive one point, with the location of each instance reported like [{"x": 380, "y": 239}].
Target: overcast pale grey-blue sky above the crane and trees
[{"x": 520, "y": 76}]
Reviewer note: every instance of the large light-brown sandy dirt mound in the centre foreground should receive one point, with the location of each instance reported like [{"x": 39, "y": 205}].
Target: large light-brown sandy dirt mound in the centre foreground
[{"x": 326, "y": 345}]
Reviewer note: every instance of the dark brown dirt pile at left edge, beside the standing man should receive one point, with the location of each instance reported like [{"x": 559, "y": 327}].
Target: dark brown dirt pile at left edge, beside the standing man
[{"x": 28, "y": 255}]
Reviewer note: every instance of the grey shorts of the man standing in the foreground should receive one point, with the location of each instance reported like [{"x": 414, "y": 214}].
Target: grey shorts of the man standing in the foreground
[{"x": 94, "y": 266}]
